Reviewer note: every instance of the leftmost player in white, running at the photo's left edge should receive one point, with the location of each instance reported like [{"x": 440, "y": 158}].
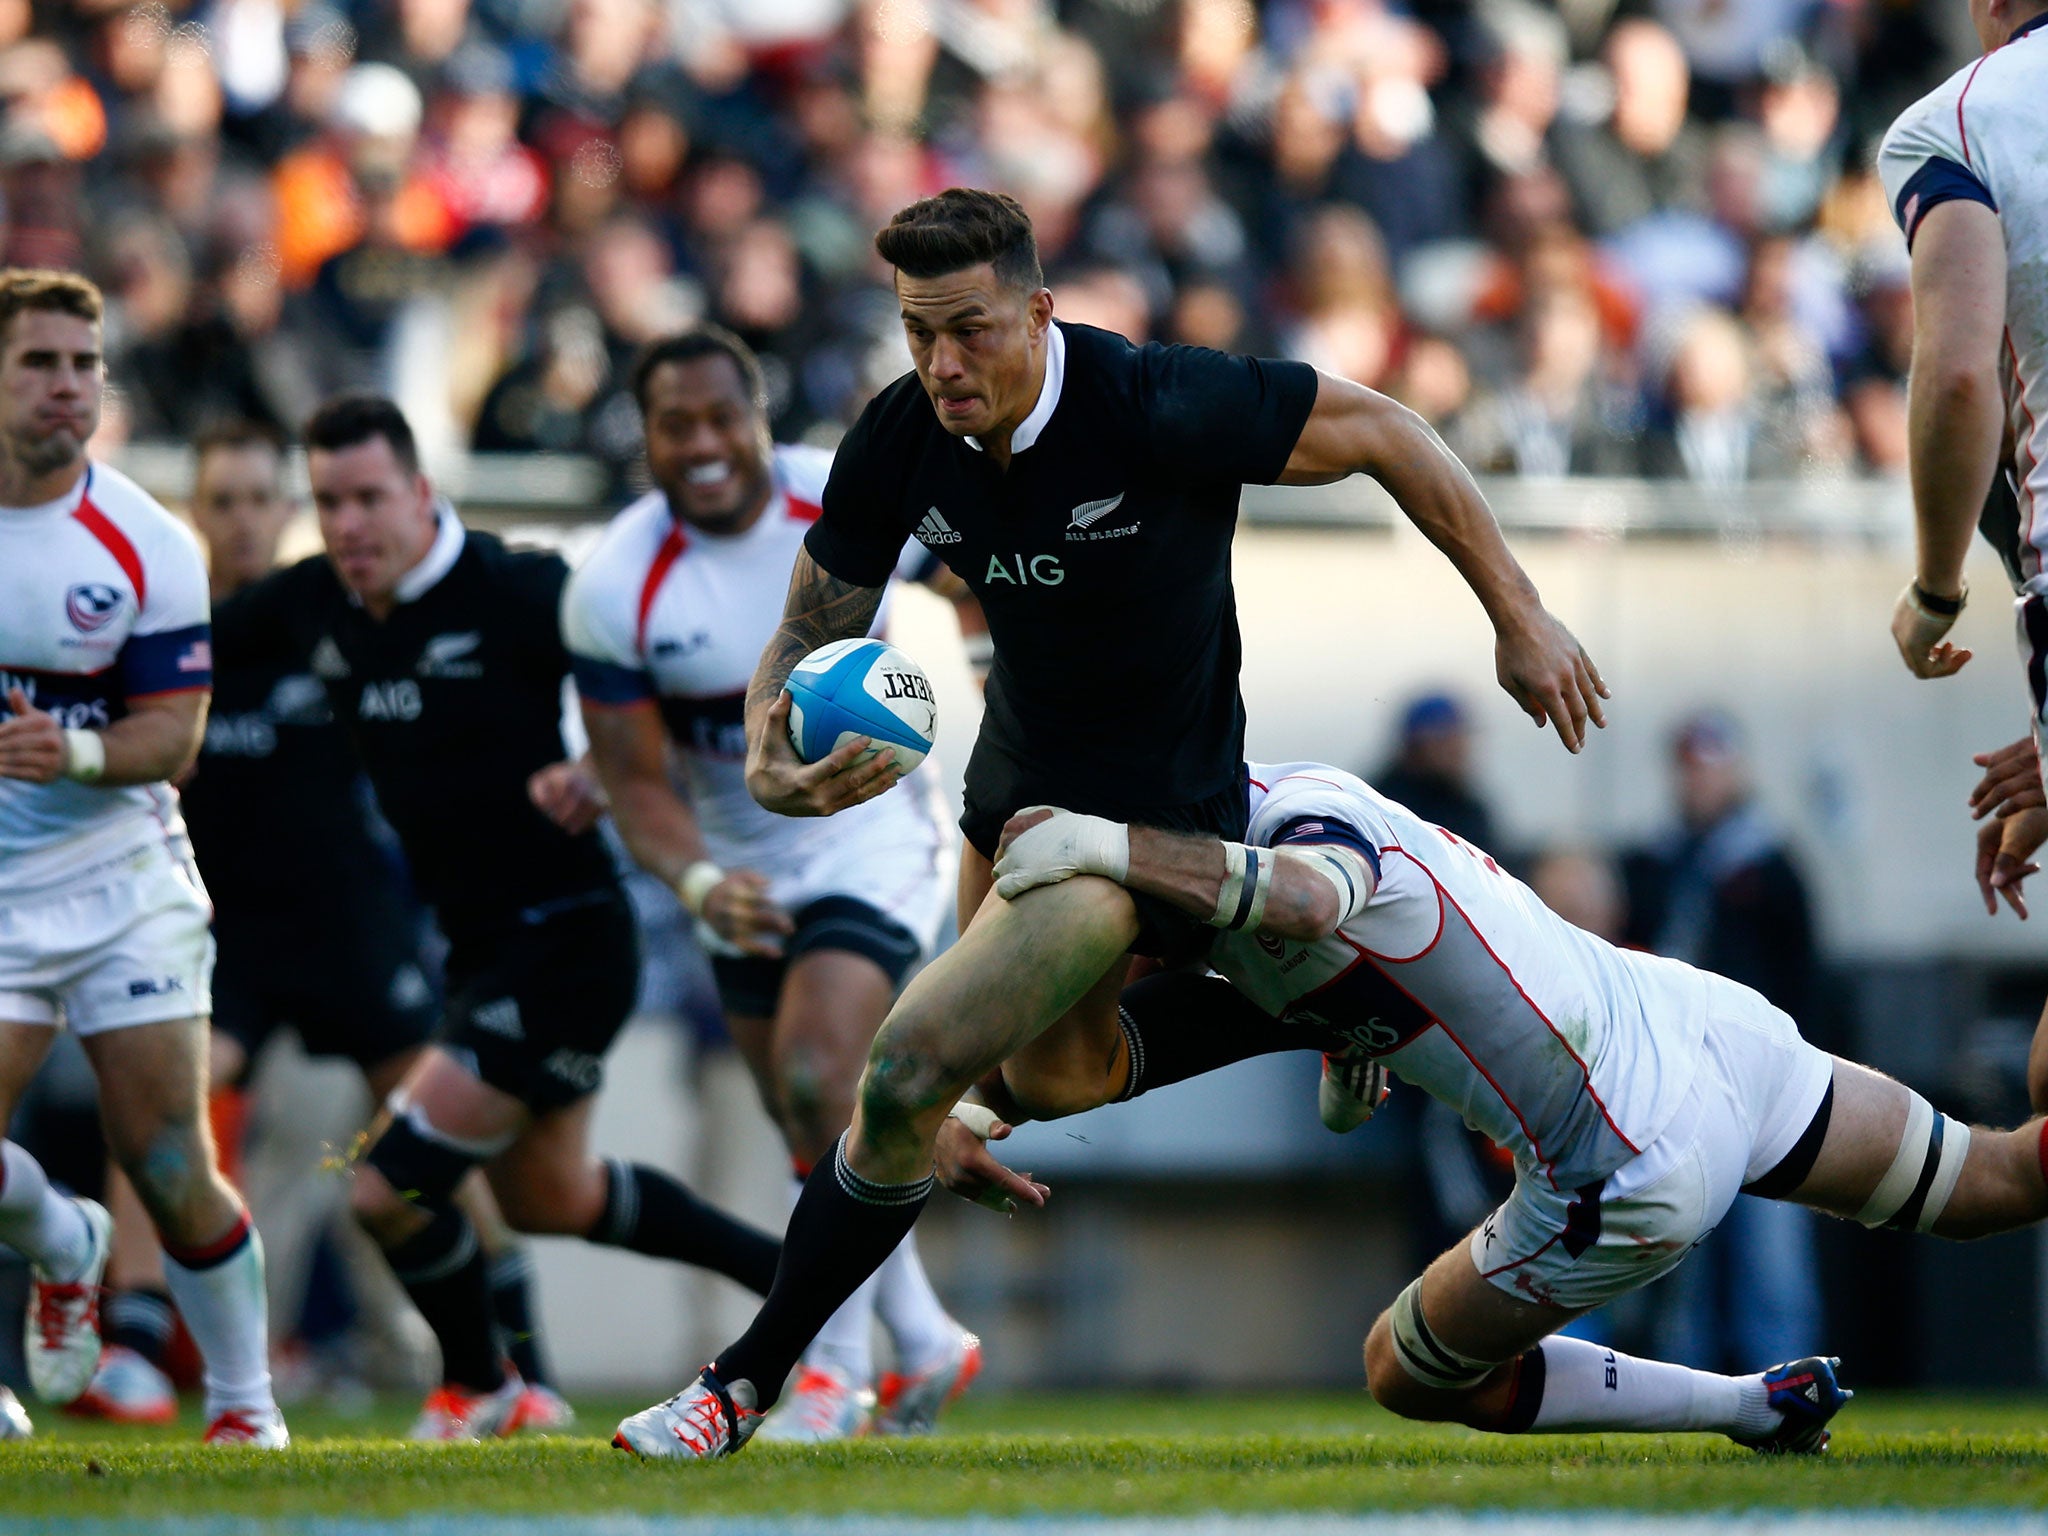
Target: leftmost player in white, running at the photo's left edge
[{"x": 105, "y": 665}]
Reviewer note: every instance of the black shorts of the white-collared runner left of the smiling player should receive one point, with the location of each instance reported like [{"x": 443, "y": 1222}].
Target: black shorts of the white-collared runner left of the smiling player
[{"x": 534, "y": 1007}]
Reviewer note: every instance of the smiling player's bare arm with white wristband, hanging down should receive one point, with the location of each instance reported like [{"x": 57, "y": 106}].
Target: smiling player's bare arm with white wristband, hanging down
[{"x": 660, "y": 830}]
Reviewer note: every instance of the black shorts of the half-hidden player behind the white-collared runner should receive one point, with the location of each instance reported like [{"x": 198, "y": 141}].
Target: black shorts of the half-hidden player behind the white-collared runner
[{"x": 357, "y": 992}]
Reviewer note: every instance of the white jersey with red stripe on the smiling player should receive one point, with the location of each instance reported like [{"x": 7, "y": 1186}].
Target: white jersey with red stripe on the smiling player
[{"x": 677, "y": 615}]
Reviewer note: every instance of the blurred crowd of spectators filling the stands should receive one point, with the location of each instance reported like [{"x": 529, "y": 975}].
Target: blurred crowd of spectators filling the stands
[{"x": 1578, "y": 237}]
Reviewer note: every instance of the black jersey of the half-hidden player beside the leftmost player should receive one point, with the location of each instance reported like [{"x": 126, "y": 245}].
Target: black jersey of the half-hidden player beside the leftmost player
[{"x": 278, "y": 792}]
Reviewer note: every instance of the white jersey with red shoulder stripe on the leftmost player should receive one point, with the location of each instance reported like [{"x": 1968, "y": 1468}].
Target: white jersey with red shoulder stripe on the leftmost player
[{"x": 103, "y": 599}]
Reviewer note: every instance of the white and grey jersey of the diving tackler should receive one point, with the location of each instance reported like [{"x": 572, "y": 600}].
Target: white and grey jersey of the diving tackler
[{"x": 1553, "y": 1043}]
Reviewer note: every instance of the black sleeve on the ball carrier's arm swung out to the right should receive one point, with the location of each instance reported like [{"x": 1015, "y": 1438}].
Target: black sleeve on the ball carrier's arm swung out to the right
[{"x": 1220, "y": 415}]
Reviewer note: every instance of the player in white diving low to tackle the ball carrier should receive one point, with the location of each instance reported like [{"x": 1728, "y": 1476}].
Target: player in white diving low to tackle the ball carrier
[{"x": 1637, "y": 1097}]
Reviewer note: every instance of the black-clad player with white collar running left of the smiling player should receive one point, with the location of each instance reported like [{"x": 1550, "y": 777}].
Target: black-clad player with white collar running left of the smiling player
[{"x": 439, "y": 648}]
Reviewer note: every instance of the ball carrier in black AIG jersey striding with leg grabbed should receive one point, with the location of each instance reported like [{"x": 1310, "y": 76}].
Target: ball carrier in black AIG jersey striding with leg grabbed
[{"x": 1086, "y": 490}]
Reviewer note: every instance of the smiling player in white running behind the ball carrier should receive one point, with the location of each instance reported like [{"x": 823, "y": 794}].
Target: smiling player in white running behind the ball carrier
[{"x": 810, "y": 927}]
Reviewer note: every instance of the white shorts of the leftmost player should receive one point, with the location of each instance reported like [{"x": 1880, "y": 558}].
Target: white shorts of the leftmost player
[{"x": 122, "y": 943}]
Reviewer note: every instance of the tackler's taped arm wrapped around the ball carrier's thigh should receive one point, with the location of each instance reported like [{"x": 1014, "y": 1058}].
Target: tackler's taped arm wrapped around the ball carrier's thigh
[{"x": 1302, "y": 894}]
